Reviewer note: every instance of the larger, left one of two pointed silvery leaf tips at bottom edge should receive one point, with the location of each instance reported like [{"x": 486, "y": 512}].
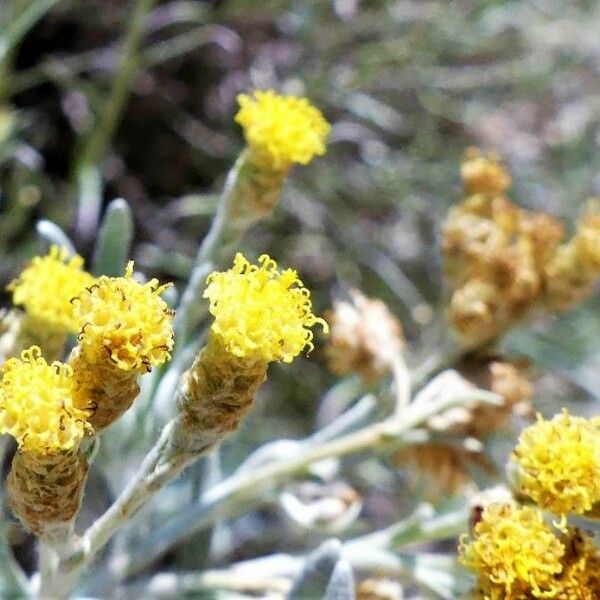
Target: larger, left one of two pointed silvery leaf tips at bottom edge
[{"x": 313, "y": 579}]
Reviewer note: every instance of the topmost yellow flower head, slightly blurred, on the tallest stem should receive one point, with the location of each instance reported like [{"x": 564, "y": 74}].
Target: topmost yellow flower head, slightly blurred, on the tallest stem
[{"x": 282, "y": 129}]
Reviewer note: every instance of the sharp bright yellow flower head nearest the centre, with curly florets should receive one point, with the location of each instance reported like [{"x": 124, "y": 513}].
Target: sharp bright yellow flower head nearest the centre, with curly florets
[{"x": 261, "y": 313}]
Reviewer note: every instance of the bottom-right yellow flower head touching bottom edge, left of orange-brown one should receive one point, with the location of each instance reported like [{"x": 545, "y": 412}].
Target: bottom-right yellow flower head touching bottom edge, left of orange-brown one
[{"x": 514, "y": 553}]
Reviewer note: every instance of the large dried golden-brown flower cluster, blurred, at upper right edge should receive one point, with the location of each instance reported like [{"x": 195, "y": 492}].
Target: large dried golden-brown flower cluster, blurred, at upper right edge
[{"x": 503, "y": 261}]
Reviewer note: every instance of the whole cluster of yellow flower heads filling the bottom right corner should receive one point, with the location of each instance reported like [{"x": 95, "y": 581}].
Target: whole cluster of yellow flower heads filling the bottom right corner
[{"x": 514, "y": 553}]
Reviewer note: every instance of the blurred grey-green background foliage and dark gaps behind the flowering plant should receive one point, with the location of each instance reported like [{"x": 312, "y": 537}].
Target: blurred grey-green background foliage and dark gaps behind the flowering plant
[{"x": 407, "y": 85}]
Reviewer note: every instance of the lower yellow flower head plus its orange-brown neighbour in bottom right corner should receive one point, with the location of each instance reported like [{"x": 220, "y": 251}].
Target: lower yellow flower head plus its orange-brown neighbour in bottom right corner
[{"x": 518, "y": 556}]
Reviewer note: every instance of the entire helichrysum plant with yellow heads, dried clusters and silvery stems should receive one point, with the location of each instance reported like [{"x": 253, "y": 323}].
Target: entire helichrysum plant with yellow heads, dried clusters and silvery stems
[{"x": 139, "y": 380}]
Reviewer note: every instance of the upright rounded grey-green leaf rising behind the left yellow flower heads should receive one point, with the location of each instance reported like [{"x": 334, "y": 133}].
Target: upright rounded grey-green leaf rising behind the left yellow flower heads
[{"x": 113, "y": 245}]
